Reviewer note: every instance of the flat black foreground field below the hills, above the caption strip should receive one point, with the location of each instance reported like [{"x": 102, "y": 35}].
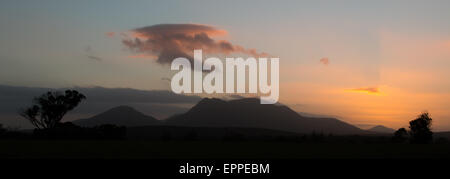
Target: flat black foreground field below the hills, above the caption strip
[{"x": 133, "y": 149}]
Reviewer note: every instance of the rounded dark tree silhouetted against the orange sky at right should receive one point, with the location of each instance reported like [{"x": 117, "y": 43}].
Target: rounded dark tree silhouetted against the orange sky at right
[{"x": 420, "y": 129}]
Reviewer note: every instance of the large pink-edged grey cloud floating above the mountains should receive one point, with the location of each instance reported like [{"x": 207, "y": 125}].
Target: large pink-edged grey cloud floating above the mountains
[{"x": 169, "y": 41}]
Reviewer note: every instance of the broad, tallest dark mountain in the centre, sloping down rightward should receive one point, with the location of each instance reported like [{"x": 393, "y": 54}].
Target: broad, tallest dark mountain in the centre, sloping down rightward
[{"x": 250, "y": 113}]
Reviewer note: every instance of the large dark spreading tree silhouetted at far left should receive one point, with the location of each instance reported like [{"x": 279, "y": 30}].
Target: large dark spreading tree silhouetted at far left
[{"x": 48, "y": 109}]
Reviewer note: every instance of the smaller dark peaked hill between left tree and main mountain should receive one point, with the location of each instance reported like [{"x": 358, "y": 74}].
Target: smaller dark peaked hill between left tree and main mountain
[{"x": 122, "y": 115}]
